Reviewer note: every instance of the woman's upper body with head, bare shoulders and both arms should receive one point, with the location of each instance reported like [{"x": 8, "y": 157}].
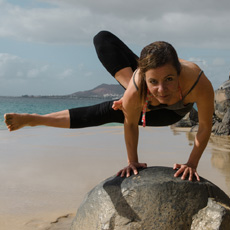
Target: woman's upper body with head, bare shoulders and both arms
[{"x": 171, "y": 84}]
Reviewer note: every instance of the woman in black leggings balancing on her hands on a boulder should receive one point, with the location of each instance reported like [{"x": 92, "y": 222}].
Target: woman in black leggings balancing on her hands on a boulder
[{"x": 160, "y": 90}]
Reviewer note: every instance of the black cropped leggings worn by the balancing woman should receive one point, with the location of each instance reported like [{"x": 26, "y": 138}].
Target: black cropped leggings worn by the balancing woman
[{"x": 115, "y": 55}]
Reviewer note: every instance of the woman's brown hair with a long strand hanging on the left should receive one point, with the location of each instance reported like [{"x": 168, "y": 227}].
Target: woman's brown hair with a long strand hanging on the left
[{"x": 153, "y": 56}]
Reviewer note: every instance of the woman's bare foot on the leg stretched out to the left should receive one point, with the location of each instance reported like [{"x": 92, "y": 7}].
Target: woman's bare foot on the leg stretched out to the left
[{"x": 15, "y": 121}]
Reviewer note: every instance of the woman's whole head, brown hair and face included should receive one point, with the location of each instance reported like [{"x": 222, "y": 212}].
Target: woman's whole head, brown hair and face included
[{"x": 159, "y": 70}]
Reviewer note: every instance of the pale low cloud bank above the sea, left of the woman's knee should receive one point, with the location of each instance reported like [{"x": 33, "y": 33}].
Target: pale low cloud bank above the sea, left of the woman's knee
[{"x": 19, "y": 76}]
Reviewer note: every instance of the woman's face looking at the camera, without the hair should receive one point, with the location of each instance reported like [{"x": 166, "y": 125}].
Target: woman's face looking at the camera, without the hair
[{"x": 162, "y": 83}]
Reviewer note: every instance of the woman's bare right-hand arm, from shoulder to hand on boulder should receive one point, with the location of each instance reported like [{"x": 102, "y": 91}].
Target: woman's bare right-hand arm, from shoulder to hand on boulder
[{"x": 205, "y": 104}]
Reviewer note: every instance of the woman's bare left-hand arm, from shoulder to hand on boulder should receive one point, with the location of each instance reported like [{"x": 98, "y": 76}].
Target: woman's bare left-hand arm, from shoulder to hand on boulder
[{"x": 131, "y": 107}]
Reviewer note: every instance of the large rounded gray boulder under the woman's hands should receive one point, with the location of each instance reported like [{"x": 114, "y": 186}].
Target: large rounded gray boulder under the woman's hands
[{"x": 153, "y": 199}]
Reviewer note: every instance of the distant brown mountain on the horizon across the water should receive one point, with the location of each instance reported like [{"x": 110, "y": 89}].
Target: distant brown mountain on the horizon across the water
[{"x": 101, "y": 91}]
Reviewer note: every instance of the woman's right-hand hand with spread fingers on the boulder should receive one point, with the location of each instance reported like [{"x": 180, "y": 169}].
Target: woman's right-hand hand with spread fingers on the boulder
[{"x": 185, "y": 170}]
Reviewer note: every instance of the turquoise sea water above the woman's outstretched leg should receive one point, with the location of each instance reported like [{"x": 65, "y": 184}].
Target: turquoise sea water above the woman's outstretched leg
[{"x": 40, "y": 105}]
